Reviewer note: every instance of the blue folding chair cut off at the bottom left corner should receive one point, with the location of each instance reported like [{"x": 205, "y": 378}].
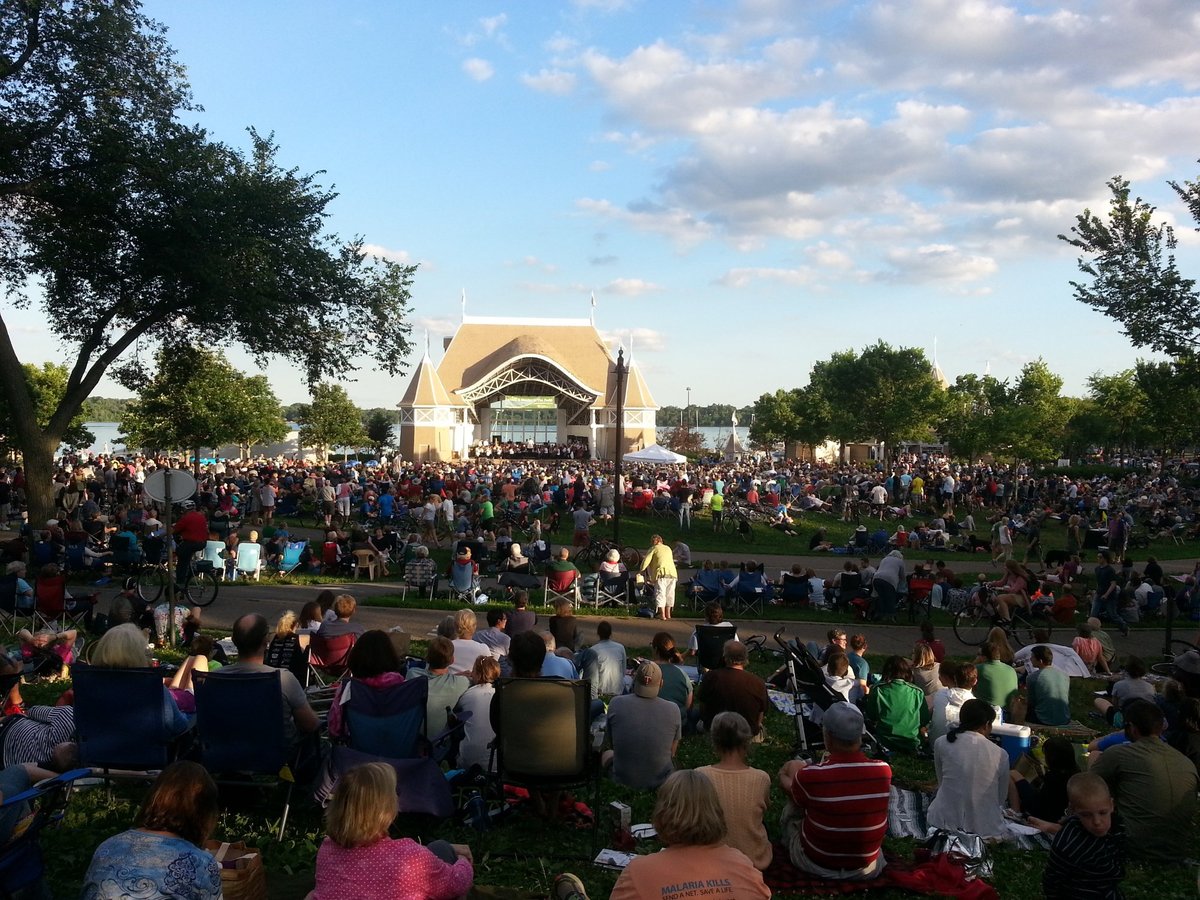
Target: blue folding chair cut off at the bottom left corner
[{"x": 22, "y": 866}]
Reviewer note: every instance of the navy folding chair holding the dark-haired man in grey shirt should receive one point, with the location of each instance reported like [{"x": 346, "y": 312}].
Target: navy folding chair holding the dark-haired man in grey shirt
[{"x": 239, "y": 723}]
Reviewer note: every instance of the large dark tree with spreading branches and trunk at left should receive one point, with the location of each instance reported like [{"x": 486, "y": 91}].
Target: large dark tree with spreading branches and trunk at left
[{"x": 140, "y": 229}]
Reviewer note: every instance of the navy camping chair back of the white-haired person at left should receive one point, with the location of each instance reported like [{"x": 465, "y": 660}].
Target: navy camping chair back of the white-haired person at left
[{"x": 119, "y": 718}]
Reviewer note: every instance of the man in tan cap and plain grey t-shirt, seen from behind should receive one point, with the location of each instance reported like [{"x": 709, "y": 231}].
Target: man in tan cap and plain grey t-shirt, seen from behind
[{"x": 645, "y": 731}]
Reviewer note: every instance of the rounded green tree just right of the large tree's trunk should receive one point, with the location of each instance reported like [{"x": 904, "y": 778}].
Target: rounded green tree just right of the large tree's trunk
[{"x": 196, "y": 399}]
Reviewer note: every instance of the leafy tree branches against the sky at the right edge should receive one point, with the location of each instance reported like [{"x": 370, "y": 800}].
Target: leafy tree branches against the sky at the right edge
[{"x": 1131, "y": 269}]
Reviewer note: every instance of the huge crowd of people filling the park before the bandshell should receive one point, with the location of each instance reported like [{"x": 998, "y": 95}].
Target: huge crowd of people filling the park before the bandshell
[{"x": 711, "y": 819}]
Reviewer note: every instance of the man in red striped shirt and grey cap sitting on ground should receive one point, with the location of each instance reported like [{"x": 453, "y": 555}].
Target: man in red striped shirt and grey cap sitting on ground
[{"x": 837, "y": 815}]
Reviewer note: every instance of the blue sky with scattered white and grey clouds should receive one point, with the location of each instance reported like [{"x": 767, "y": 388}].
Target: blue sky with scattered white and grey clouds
[{"x": 745, "y": 187}]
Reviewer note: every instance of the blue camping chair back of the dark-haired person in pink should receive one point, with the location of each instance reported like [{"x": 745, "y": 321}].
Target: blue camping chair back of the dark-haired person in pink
[{"x": 388, "y": 722}]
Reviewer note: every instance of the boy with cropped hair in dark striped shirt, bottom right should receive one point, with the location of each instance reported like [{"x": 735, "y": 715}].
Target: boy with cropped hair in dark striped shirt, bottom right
[{"x": 1089, "y": 850}]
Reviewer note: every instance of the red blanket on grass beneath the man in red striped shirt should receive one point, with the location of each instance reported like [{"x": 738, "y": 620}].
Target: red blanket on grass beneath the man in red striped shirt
[{"x": 940, "y": 877}]
